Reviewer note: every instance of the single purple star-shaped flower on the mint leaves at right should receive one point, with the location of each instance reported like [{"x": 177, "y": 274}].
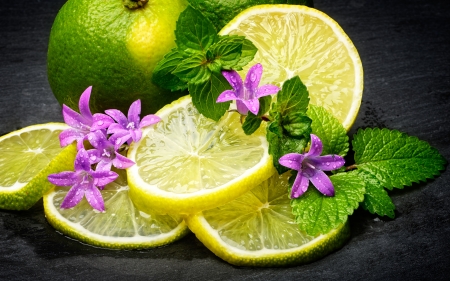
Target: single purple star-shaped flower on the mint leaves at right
[{"x": 310, "y": 167}]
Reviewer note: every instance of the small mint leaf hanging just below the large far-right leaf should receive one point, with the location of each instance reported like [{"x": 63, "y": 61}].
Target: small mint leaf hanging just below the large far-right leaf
[{"x": 376, "y": 199}]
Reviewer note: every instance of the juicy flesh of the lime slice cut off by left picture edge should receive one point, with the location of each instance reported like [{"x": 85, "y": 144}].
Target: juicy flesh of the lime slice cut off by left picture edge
[{"x": 24, "y": 155}]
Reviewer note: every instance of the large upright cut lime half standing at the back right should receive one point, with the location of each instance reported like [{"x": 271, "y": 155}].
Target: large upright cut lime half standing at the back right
[{"x": 297, "y": 40}]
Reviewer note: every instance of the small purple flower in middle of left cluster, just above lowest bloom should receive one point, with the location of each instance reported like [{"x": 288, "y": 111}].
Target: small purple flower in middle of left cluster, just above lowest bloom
[{"x": 105, "y": 153}]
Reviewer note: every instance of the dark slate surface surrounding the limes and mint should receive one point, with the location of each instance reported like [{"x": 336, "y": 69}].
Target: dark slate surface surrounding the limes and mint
[{"x": 405, "y": 49}]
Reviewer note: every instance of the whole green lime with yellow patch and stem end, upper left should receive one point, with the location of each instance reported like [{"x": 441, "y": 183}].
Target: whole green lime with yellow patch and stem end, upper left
[{"x": 113, "y": 46}]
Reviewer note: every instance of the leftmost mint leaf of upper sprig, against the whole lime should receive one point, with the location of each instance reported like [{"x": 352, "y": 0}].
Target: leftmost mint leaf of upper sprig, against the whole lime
[{"x": 162, "y": 74}]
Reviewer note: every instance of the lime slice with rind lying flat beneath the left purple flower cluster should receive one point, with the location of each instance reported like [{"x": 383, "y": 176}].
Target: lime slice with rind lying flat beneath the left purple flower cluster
[{"x": 121, "y": 226}]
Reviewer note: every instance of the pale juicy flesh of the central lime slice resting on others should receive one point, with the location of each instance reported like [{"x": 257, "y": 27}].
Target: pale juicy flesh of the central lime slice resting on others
[{"x": 187, "y": 152}]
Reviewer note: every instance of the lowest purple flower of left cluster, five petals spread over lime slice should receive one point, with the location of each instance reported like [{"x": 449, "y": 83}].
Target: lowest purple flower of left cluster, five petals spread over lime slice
[{"x": 84, "y": 182}]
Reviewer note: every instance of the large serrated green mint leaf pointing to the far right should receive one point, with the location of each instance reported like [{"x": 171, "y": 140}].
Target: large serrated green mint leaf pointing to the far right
[{"x": 394, "y": 158}]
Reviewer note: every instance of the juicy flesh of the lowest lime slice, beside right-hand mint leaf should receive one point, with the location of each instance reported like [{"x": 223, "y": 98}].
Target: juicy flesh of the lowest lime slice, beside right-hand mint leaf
[{"x": 258, "y": 220}]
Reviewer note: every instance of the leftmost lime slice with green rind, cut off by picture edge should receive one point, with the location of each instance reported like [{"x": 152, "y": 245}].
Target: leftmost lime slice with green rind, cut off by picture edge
[{"x": 27, "y": 157}]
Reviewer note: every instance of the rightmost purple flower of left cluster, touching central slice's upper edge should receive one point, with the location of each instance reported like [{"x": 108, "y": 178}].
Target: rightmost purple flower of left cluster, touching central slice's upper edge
[{"x": 127, "y": 130}]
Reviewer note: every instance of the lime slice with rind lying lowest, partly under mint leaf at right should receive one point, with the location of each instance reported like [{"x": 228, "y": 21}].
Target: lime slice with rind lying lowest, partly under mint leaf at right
[{"x": 258, "y": 229}]
